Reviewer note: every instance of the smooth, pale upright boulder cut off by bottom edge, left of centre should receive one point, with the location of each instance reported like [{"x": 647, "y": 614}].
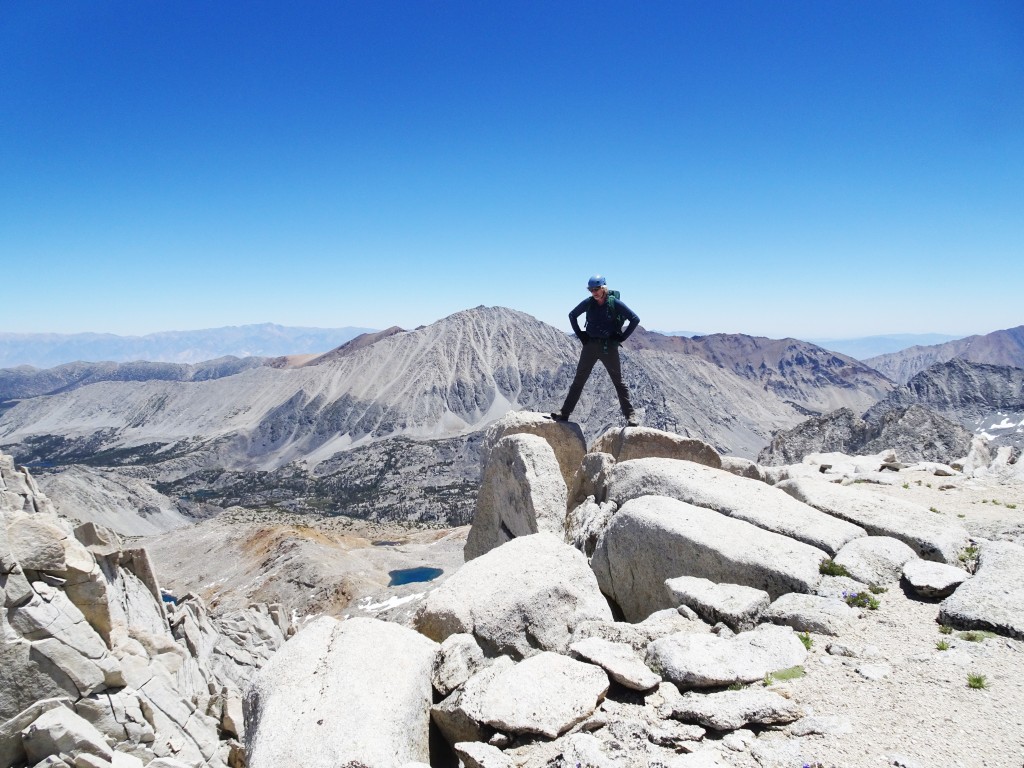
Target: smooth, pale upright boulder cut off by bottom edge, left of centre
[{"x": 343, "y": 692}]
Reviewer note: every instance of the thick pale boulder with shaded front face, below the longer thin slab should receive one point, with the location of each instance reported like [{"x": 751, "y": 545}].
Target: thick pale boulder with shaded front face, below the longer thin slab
[{"x": 653, "y": 539}]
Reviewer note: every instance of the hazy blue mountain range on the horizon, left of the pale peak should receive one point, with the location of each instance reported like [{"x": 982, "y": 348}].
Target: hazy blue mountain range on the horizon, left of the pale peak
[{"x": 265, "y": 340}]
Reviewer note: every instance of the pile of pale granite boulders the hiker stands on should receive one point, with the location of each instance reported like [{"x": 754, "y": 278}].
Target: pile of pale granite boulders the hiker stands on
[{"x": 619, "y": 608}]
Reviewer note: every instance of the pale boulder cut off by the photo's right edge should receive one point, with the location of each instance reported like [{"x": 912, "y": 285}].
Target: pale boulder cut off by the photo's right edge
[{"x": 994, "y": 599}]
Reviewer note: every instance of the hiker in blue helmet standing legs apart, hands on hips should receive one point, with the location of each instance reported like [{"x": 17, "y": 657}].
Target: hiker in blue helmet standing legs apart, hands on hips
[{"x": 606, "y": 315}]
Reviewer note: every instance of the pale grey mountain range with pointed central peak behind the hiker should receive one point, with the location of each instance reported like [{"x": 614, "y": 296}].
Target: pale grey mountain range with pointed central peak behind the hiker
[{"x": 388, "y": 423}]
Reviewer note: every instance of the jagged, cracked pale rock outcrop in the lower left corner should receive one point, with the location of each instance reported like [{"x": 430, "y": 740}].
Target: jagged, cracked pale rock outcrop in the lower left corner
[{"x": 96, "y": 668}]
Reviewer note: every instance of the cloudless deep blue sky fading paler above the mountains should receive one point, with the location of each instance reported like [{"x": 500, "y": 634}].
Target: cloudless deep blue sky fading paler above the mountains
[{"x": 810, "y": 169}]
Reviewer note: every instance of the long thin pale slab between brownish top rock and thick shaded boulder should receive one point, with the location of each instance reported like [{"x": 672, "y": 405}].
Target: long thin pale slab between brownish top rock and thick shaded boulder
[{"x": 731, "y": 495}]
